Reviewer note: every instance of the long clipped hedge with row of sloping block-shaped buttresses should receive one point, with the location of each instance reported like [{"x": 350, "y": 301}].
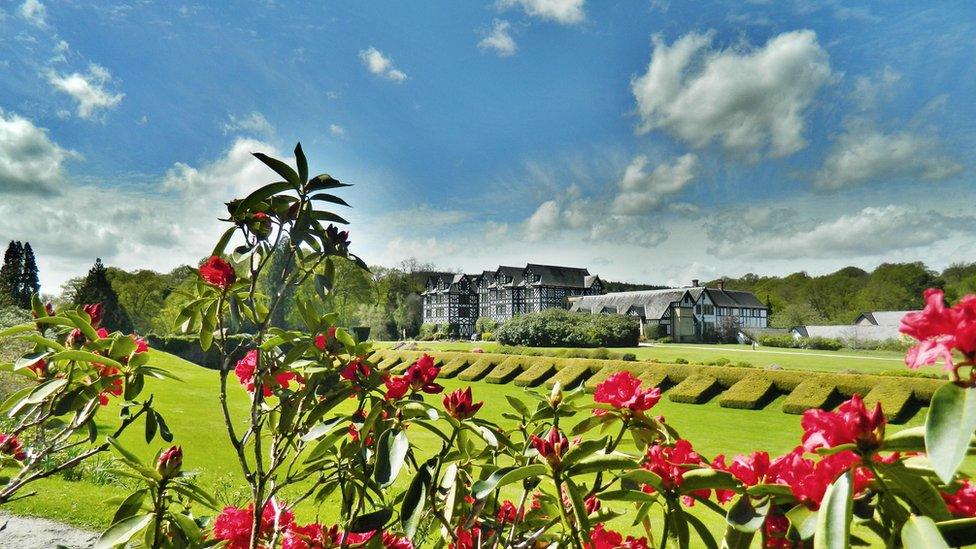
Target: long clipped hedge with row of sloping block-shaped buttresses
[{"x": 735, "y": 386}]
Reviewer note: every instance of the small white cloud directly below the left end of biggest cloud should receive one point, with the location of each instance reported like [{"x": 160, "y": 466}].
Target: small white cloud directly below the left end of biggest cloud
[{"x": 642, "y": 192}]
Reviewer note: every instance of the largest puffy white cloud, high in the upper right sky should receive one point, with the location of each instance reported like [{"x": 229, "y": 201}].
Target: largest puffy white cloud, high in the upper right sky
[{"x": 751, "y": 101}]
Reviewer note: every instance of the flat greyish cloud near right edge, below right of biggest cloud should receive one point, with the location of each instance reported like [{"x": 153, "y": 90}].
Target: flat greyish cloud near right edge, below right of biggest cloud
[{"x": 863, "y": 155}]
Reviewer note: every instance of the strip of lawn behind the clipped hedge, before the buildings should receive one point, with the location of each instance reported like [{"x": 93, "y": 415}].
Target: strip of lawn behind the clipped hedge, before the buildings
[{"x": 868, "y": 362}]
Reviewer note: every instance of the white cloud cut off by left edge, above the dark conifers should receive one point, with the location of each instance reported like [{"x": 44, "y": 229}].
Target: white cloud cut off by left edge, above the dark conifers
[{"x": 29, "y": 161}]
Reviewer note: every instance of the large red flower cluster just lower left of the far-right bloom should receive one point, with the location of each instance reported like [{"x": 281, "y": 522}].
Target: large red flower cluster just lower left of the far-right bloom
[{"x": 850, "y": 423}]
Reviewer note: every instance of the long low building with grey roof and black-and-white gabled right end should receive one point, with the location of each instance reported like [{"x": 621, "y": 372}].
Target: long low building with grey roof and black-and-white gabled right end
[{"x": 684, "y": 314}]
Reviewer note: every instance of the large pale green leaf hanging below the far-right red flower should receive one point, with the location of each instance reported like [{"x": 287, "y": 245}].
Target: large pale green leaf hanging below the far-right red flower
[{"x": 949, "y": 428}]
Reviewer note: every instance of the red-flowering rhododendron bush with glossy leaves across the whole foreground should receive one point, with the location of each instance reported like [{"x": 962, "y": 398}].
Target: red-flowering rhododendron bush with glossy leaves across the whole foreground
[{"x": 329, "y": 434}]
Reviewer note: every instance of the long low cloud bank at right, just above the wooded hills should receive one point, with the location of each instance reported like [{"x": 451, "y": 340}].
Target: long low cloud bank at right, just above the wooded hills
[{"x": 872, "y": 231}]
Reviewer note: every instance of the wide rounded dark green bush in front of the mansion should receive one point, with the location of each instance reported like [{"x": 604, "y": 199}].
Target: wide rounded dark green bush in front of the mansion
[{"x": 561, "y": 328}]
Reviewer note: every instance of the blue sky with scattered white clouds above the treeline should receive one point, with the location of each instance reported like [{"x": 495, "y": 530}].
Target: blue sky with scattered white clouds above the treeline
[{"x": 649, "y": 141}]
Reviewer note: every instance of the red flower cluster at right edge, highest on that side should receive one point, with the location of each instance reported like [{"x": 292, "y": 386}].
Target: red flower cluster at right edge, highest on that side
[{"x": 940, "y": 329}]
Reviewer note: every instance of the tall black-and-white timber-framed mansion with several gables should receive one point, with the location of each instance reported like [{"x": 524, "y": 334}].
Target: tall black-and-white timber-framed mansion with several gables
[{"x": 456, "y": 301}]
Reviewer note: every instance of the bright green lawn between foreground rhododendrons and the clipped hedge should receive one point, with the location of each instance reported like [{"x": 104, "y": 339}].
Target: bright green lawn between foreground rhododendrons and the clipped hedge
[{"x": 192, "y": 411}]
